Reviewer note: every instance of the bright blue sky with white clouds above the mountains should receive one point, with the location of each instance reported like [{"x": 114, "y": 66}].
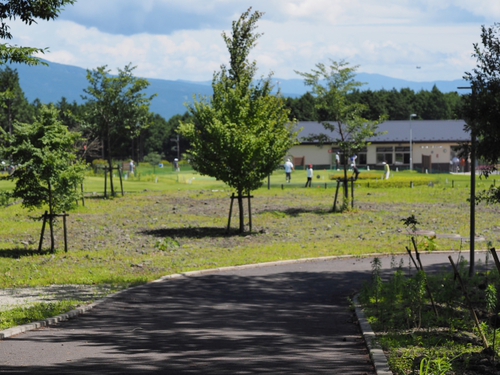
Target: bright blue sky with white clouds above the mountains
[{"x": 416, "y": 40}]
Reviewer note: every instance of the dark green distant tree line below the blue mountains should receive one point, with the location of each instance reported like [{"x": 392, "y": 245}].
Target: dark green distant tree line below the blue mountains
[{"x": 159, "y": 136}]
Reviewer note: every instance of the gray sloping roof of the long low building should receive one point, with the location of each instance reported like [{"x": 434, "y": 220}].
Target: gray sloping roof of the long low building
[{"x": 399, "y": 131}]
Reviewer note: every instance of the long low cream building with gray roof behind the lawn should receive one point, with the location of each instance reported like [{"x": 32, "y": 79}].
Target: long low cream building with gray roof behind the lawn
[{"x": 433, "y": 144}]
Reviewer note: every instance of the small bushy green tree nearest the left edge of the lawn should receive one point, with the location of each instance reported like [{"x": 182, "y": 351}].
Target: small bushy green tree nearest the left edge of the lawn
[{"x": 47, "y": 169}]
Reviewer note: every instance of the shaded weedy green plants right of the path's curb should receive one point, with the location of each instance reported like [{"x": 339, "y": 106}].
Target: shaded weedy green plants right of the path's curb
[{"x": 399, "y": 309}]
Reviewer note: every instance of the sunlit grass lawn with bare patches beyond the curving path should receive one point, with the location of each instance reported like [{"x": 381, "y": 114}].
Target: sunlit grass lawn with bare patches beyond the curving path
[{"x": 174, "y": 222}]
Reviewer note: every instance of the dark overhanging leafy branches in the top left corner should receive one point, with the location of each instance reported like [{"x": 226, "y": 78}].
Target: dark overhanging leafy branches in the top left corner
[{"x": 28, "y": 11}]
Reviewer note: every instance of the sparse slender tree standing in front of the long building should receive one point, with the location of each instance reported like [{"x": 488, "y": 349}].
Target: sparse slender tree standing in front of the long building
[{"x": 340, "y": 117}]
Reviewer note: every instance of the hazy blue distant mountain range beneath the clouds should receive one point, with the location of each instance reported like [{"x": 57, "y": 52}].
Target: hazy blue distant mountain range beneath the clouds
[{"x": 51, "y": 83}]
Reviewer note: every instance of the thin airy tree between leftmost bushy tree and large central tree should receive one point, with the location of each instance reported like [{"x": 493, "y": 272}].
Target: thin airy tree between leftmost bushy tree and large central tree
[{"x": 117, "y": 107}]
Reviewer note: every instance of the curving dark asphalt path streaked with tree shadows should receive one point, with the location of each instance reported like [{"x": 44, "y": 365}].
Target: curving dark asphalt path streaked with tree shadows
[{"x": 285, "y": 318}]
